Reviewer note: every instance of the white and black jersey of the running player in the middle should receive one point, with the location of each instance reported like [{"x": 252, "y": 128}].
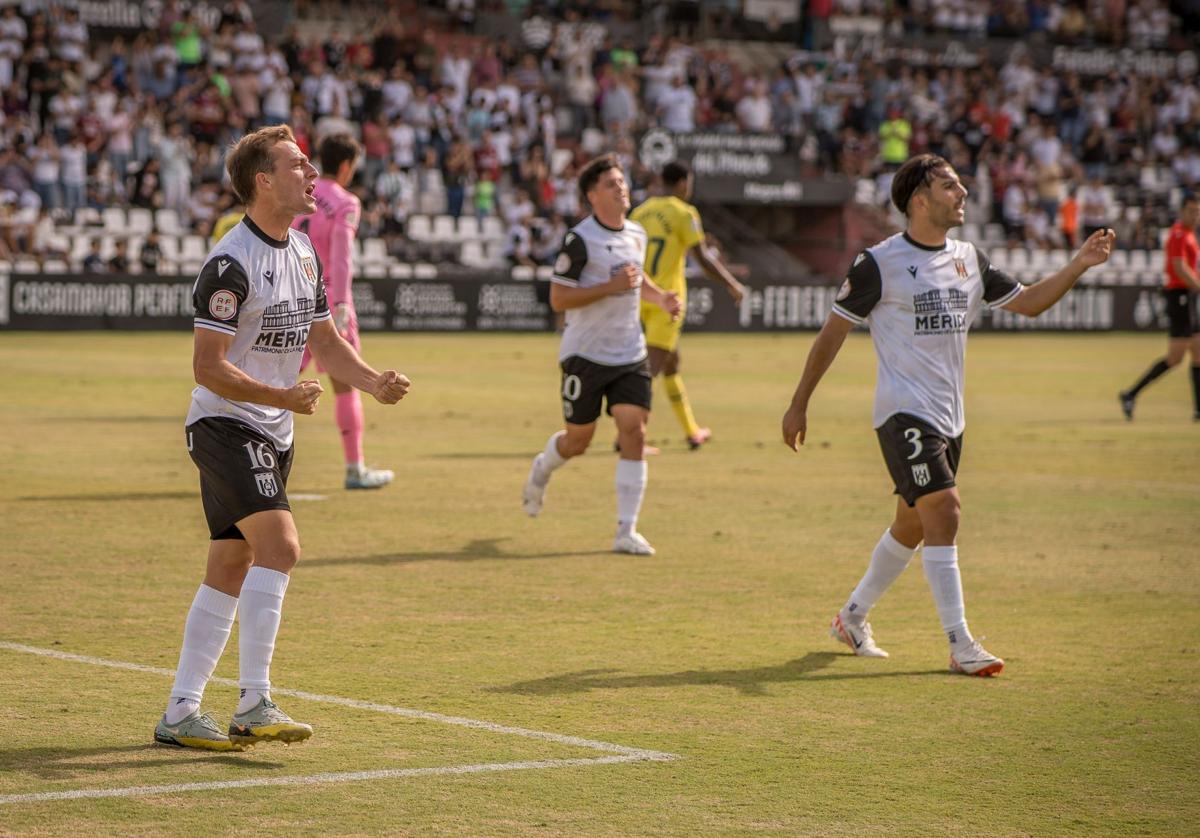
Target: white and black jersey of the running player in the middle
[{"x": 609, "y": 331}]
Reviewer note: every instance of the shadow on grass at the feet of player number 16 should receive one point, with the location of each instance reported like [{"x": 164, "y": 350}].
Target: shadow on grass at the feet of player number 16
[{"x": 57, "y": 764}]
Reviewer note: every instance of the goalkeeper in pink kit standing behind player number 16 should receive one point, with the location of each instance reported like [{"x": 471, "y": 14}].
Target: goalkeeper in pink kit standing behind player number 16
[{"x": 332, "y": 230}]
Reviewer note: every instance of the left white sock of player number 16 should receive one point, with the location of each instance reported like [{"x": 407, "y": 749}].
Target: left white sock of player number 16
[{"x": 206, "y": 633}]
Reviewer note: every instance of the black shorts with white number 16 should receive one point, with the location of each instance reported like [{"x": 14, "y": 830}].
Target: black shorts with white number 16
[{"x": 242, "y": 474}]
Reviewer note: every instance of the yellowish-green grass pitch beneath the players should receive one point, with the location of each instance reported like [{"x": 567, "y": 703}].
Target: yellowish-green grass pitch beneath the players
[{"x": 1081, "y": 546}]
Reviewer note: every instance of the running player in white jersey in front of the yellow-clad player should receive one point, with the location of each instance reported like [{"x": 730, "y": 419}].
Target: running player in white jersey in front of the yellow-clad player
[{"x": 599, "y": 284}]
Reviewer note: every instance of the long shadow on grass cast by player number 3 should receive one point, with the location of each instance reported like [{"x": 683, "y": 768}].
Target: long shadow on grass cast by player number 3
[{"x": 746, "y": 681}]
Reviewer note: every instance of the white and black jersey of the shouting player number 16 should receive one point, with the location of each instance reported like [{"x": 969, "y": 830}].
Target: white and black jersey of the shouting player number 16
[{"x": 266, "y": 294}]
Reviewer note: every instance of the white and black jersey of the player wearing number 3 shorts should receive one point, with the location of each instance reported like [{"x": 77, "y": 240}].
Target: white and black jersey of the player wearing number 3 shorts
[{"x": 920, "y": 303}]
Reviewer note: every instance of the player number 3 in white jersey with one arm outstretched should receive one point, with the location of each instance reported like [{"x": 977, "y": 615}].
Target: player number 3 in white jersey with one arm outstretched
[{"x": 920, "y": 291}]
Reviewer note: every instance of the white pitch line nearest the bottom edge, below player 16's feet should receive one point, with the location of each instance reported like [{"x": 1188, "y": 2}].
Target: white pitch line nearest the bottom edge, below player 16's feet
[{"x": 311, "y": 780}]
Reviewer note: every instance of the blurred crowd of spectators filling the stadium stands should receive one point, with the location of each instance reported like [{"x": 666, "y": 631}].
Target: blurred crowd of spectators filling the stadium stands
[{"x": 457, "y": 123}]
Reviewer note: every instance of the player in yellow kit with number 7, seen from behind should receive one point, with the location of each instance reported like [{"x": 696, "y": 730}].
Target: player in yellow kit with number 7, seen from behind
[{"x": 674, "y": 230}]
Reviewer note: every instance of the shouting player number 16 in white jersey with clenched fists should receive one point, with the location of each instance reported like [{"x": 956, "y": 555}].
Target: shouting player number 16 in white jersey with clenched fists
[{"x": 260, "y": 301}]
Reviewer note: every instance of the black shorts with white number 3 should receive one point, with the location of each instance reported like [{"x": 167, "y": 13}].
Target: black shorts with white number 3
[{"x": 921, "y": 459}]
